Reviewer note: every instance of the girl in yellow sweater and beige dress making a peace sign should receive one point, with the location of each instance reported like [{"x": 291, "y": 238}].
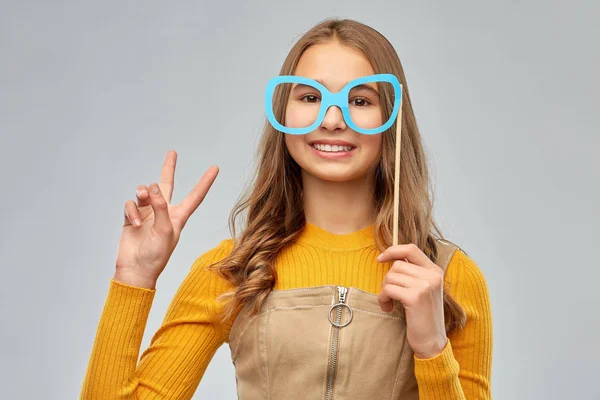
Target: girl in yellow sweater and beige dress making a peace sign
[{"x": 312, "y": 297}]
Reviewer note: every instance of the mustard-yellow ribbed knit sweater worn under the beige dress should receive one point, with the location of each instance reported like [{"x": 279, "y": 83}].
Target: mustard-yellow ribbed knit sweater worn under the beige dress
[{"x": 181, "y": 349}]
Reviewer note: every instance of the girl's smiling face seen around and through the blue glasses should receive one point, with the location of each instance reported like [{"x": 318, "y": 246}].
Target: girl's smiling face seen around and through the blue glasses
[{"x": 334, "y": 65}]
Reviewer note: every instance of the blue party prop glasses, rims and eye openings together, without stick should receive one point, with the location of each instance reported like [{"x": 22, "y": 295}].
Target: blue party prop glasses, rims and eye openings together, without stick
[{"x": 307, "y": 102}]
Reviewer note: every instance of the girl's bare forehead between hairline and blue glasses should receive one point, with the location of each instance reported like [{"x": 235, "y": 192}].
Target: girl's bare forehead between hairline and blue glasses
[{"x": 334, "y": 64}]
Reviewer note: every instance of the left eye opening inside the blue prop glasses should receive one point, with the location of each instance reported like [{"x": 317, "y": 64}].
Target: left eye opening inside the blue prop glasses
[{"x": 301, "y": 102}]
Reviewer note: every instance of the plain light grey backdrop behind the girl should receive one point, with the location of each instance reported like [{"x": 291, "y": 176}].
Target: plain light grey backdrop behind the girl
[{"x": 93, "y": 94}]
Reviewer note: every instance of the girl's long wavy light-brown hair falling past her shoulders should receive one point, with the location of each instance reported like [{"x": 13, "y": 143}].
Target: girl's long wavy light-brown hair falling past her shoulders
[{"x": 273, "y": 201}]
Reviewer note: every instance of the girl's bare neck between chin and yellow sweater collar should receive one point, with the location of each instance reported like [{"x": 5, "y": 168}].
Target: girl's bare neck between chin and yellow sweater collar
[{"x": 338, "y": 207}]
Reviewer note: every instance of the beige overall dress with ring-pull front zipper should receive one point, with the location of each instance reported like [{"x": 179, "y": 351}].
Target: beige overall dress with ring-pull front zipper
[{"x": 325, "y": 342}]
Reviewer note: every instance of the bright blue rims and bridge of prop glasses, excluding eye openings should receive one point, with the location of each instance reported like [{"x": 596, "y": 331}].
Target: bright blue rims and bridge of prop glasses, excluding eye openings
[{"x": 329, "y": 99}]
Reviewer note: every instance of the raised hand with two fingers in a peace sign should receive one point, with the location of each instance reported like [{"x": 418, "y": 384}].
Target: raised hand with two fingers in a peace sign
[{"x": 153, "y": 225}]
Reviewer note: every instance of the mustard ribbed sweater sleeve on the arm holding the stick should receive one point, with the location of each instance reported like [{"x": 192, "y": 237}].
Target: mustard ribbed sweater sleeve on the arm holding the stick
[{"x": 463, "y": 369}]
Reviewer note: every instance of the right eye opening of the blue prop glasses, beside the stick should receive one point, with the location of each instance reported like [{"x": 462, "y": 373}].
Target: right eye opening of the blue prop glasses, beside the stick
[{"x": 371, "y": 104}]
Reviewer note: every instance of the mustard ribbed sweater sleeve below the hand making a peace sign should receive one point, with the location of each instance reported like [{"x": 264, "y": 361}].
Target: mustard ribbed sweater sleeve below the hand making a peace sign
[{"x": 180, "y": 350}]
